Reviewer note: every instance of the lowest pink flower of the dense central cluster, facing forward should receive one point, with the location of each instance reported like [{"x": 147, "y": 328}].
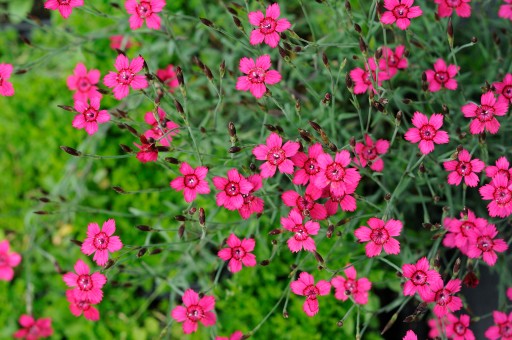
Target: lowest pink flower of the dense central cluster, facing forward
[{"x": 302, "y": 232}]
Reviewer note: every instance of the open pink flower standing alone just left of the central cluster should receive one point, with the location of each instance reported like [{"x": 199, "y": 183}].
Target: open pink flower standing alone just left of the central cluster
[{"x": 192, "y": 183}]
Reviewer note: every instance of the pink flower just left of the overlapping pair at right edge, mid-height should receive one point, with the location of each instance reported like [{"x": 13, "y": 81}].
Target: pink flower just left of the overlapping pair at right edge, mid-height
[{"x": 465, "y": 168}]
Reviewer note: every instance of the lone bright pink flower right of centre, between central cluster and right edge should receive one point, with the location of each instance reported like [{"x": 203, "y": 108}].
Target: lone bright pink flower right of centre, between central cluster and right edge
[{"x": 426, "y": 132}]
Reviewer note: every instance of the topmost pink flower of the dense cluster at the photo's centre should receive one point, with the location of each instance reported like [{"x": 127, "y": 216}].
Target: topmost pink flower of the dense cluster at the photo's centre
[{"x": 276, "y": 155}]
